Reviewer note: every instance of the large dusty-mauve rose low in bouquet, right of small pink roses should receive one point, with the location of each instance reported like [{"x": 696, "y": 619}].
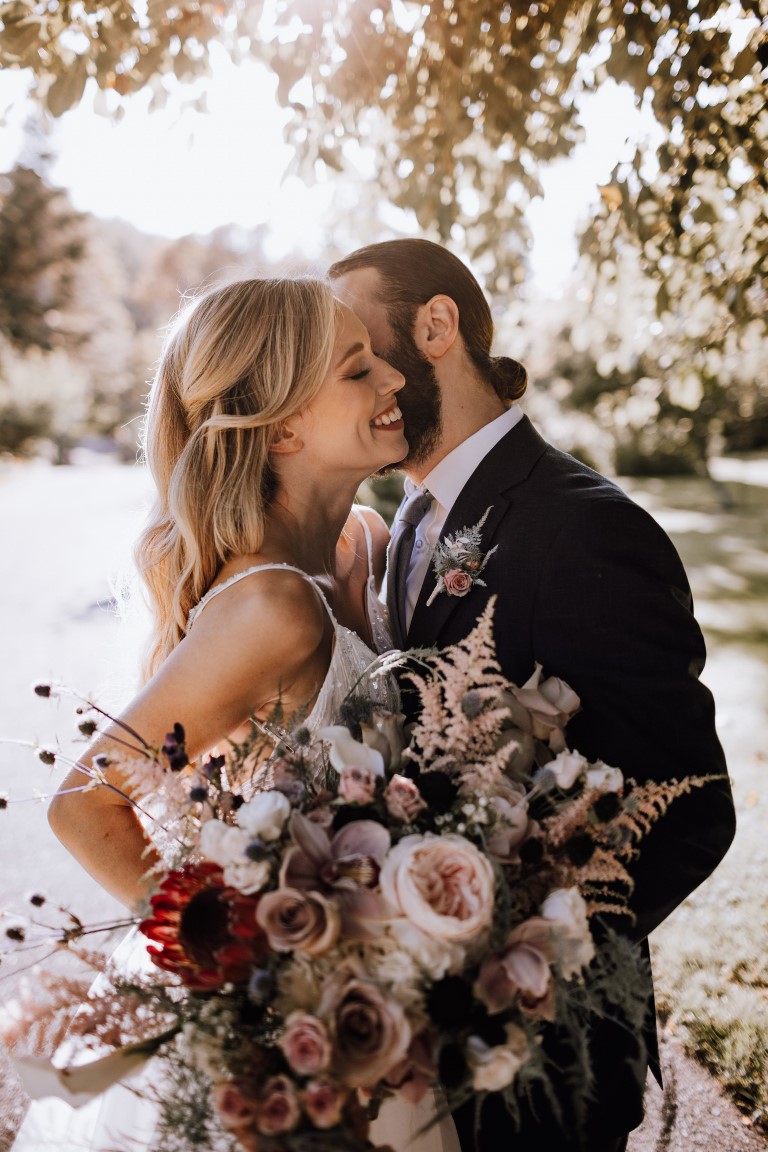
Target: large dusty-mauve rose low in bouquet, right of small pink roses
[{"x": 371, "y": 1034}]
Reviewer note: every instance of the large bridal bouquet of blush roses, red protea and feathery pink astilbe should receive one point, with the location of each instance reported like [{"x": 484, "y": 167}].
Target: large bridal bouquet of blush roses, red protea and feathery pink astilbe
[{"x": 374, "y": 914}]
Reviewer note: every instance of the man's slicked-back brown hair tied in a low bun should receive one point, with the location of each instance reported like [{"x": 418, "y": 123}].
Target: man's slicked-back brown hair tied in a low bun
[{"x": 413, "y": 272}]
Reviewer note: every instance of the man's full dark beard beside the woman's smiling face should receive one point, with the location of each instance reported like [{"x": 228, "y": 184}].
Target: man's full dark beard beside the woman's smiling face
[{"x": 419, "y": 400}]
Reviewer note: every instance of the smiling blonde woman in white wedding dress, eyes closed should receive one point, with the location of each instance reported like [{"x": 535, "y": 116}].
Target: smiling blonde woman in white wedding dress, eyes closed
[{"x": 268, "y": 412}]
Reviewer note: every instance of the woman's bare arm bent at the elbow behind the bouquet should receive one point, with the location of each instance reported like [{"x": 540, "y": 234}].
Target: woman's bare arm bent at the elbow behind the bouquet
[{"x": 263, "y": 640}]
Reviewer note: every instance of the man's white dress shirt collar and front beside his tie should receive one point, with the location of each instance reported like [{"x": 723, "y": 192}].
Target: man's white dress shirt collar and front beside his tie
[{"x": 446, "y": 482}]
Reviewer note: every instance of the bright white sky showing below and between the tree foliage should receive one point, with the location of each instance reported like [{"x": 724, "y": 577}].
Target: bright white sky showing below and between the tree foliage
[{"x": 173, "y": 173}]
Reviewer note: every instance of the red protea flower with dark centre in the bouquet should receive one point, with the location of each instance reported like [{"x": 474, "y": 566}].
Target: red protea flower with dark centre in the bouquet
[{"x": 207, "y": 933}]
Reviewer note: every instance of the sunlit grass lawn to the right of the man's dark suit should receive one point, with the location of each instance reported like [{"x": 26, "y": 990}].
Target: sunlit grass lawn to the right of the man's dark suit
[{"x": 711, "y": 958}]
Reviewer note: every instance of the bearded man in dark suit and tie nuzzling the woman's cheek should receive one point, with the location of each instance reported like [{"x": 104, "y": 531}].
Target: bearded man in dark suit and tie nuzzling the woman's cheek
[{"x": 588, "y": 585}]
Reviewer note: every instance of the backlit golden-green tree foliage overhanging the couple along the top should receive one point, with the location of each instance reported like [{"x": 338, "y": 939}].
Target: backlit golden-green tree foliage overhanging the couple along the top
[{"x": 463, "y": 102}]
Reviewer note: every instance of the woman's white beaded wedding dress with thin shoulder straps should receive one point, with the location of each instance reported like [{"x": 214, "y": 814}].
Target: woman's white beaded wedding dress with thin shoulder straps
[{"x": 125, "y": 1119}]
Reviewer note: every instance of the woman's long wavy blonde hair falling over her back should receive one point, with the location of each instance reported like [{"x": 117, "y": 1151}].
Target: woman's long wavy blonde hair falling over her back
[{"x": 241, "y": 360}]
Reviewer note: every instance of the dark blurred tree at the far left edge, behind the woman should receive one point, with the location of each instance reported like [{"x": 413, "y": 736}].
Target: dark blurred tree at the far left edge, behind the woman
[{"x": 41, "y": 246}]
